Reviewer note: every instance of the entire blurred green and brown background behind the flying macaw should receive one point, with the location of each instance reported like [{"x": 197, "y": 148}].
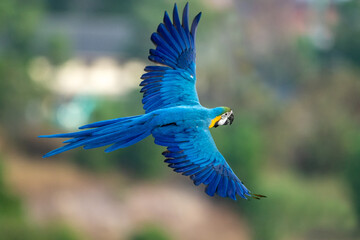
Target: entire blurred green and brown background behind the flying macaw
[{"x": 288, "y": 68}]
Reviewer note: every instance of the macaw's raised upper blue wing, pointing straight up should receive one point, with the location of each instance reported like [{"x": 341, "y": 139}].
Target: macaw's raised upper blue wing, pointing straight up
[{"x": 173, "y": 83}]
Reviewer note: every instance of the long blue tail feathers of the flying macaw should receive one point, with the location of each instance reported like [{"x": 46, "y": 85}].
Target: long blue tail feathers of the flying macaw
[{"x": 121, "y": 132}]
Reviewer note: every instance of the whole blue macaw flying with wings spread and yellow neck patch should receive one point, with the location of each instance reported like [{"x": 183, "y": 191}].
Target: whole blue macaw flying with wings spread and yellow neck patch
[{"x": 173, "y": 115}]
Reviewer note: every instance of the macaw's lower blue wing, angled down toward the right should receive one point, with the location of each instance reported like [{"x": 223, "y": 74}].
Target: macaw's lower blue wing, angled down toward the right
[{"x": 192, "y": 152}]
